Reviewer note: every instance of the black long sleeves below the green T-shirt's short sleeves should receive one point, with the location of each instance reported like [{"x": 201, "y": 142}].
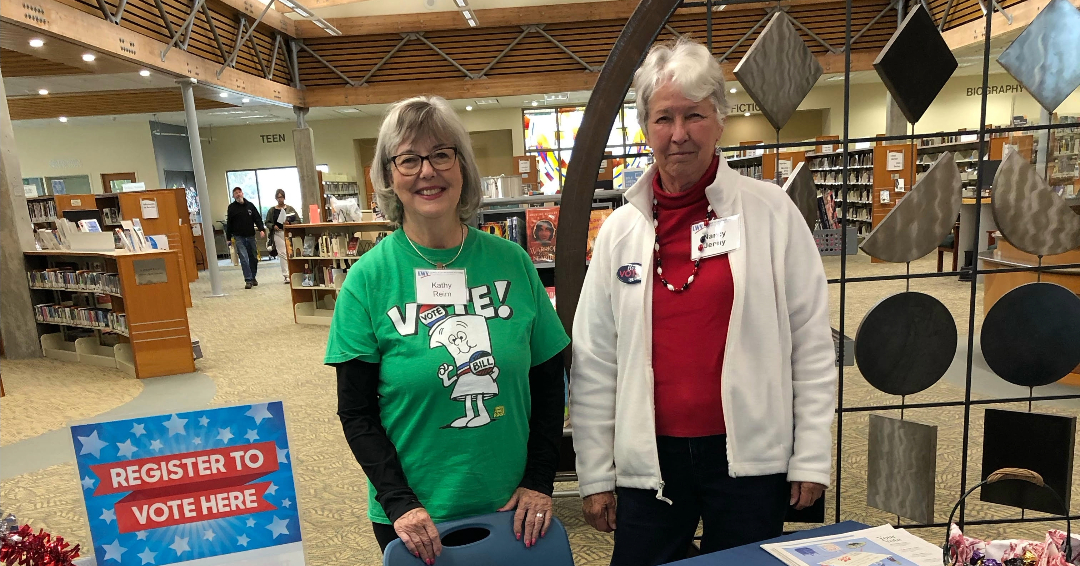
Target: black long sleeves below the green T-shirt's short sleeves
[{"x": 359, "y": 411}]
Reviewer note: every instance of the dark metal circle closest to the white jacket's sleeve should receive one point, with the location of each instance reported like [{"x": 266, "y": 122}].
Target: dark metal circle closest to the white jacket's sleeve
[{"x": 906, "y": 344}]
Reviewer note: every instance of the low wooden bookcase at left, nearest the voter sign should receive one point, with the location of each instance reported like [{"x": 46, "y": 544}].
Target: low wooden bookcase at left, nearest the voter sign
[{"x": 154, "y": 341}]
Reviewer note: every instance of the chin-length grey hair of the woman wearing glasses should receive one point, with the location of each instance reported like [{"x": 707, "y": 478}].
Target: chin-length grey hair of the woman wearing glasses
[{"x": 429, "y": 118}]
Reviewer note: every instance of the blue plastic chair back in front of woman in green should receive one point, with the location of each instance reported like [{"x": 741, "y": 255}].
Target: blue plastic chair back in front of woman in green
[{"x": 489, "y": 541}]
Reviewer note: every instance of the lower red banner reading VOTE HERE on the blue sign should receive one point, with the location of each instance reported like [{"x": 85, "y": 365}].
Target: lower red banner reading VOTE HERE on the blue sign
[{"x": 145, "y": 515}]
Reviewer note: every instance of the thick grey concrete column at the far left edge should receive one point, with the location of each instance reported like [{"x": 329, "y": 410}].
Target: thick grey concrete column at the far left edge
[{"x": 18, "y": 325}]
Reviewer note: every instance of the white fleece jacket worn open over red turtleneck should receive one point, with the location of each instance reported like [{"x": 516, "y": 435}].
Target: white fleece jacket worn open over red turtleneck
[{"x": 778, "y": 380}]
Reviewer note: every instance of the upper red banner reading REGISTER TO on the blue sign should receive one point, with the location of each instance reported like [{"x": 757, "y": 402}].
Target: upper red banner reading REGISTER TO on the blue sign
[{"x": 228, "y": 466}]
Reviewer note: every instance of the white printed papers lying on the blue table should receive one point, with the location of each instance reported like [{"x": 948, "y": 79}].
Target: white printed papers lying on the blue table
[{"x": 873, "y": 547}]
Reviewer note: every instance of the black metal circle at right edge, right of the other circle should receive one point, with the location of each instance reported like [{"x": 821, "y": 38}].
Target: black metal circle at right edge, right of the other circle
[{"x": 1032, "y": 335}]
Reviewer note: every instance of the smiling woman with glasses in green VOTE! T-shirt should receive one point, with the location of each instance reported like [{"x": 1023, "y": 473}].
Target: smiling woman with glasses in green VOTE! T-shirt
[{"x": 448, "y": 348}]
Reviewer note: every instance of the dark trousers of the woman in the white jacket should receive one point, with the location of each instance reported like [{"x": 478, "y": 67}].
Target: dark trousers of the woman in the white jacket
[{"x": 735, "y": 511}]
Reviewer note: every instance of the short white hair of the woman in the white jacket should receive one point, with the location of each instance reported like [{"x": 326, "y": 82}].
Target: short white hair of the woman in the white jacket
[{"x": 690, "y": 65}]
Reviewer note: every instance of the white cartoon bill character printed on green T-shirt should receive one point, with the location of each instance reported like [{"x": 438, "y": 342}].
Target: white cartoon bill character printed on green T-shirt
[{"x": 474, "y": 374}]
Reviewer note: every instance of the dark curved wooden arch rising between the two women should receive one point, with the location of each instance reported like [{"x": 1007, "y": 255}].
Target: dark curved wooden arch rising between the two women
[{"x": 642, "y": 30}]
